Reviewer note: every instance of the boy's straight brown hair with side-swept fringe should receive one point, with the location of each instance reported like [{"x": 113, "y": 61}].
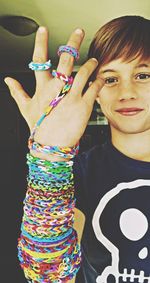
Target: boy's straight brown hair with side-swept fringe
[{"x": 127, "y": 37}]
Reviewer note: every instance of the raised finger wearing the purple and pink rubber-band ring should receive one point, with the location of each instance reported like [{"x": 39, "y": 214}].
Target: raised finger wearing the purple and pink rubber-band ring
[{"x": 66, "y": 60}]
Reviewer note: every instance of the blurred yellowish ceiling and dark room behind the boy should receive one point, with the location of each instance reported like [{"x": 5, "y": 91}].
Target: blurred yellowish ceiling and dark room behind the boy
[{"x": 19, "y": 20}]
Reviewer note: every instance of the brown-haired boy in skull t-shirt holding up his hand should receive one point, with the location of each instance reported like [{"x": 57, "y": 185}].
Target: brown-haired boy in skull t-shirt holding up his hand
[{"x": 111, "y": 181}]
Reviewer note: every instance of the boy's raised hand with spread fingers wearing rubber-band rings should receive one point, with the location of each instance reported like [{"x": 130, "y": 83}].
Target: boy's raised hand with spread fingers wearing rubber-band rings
[{"x": 66, "y": 123}]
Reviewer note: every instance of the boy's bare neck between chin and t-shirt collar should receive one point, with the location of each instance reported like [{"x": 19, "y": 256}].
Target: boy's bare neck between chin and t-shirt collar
[{"x": 136, "y": 146}]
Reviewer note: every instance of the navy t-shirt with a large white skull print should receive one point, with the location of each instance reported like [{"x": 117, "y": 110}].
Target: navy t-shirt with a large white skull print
[{"x": 113, "y": 192}]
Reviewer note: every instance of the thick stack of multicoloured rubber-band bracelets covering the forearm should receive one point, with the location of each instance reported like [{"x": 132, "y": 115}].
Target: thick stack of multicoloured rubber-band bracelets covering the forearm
[{"x": 48, "y": 249}]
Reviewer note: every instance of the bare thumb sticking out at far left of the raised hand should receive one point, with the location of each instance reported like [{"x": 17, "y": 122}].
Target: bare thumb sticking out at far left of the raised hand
[{"x": 17, "y": 92}]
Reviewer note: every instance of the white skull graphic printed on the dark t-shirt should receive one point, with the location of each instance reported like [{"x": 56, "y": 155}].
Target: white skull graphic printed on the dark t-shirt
[{"x": 121, "y": 224}]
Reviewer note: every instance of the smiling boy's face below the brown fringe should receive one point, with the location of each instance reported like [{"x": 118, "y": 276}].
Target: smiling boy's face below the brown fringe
[{"x": 125, "y": 97}]
